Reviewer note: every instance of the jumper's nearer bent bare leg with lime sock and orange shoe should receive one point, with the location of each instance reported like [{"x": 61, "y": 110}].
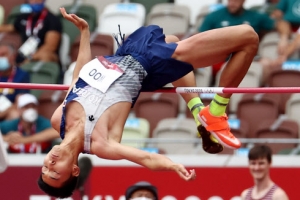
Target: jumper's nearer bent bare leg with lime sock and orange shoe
[{"x": 210, "y": 47}]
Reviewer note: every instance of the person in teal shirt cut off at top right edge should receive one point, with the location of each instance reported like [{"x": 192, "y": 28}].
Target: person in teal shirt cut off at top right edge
[{"x": 287, "y": 10}]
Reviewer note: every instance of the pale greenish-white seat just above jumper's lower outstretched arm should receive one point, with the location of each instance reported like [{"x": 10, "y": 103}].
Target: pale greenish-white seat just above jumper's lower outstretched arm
[{"x": 135, "y": 128}]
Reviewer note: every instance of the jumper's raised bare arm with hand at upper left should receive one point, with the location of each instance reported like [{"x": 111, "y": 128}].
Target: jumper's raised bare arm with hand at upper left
[{"x": 84, "y": 54}]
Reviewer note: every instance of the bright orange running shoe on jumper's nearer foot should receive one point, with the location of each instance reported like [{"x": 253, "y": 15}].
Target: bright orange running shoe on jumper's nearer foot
[{"x": 219, "y": 128}]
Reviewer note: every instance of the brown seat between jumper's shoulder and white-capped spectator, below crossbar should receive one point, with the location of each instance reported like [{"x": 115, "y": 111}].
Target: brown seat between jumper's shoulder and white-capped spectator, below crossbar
[{"x": 49, "y": 101}]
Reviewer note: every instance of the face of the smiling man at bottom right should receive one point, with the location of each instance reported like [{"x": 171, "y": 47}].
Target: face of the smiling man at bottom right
[{"x": 259, "y": 168}]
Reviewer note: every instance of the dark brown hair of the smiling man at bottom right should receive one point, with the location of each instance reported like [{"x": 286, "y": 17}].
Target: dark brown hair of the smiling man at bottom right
[{"x": 260, "y": 151}]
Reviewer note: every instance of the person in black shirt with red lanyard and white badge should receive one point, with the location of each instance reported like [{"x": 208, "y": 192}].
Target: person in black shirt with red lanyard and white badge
[{"x": 40, "y": 31}]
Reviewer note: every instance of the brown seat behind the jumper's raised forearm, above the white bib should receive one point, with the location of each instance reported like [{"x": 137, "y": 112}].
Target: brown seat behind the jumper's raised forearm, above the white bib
[{"x": 101, "y": 44}]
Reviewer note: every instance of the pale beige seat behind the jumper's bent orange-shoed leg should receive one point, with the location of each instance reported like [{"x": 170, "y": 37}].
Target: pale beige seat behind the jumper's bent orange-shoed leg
[{"x": 253, "y": 78}]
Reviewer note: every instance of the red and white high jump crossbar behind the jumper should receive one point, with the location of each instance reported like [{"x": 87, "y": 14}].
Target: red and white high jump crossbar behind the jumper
[{"x": 220, "y": 90}]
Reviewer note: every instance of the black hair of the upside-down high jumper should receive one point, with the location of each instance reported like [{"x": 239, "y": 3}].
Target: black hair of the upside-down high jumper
[{"x": 63, "y": 192}]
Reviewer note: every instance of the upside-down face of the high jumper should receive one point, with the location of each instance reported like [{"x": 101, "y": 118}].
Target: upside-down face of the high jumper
[{"x": 58, "y": 167}]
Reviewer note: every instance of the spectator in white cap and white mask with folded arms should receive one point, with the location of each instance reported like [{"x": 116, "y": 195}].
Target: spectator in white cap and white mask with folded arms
[{"x": 30, "y": 133}]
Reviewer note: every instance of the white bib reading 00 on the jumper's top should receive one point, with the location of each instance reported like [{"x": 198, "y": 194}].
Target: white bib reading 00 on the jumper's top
[{"x": 100, "y": 73}]
